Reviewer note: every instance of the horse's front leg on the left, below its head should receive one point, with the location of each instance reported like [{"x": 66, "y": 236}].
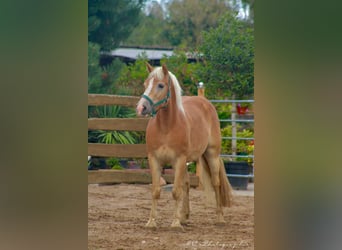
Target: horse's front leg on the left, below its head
[{"x": 155, "y": 171}]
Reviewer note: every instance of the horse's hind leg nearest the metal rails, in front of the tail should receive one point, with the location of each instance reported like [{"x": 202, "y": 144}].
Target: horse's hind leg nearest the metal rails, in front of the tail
[{"x": 214, "y": 166}]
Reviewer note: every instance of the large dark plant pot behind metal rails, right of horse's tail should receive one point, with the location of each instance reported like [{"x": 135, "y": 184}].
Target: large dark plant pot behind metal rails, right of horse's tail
[{"x": 238, "y": 168}]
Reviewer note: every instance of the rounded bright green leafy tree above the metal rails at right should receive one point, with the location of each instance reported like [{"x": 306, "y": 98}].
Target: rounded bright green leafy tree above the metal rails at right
[{"x": 228, "y": 54}]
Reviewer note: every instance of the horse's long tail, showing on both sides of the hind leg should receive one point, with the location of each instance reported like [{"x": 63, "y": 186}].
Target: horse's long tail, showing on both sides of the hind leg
[{"x": 206, "y": 183}]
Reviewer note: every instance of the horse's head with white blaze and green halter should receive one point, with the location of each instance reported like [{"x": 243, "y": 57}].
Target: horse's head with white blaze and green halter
[{"x": 157, "y": 91}]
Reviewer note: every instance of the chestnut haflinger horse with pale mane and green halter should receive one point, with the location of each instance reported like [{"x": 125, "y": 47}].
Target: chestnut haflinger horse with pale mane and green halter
[{"x": 182, "y": 129}]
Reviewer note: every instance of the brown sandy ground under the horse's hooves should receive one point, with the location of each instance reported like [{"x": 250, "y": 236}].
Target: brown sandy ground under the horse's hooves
[{"x": 117, "y": 215}]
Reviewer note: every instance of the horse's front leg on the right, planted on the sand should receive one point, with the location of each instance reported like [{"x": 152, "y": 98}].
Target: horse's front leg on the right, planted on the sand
[{"x": 178, "y": 191}]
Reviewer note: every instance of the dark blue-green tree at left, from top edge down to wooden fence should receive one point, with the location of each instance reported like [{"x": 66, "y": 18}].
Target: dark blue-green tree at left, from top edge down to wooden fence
[{"x": 109, "y": 23}]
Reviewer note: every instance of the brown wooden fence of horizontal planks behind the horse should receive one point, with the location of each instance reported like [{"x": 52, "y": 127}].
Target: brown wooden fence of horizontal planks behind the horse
[{"x": 120, "y": 150}]
